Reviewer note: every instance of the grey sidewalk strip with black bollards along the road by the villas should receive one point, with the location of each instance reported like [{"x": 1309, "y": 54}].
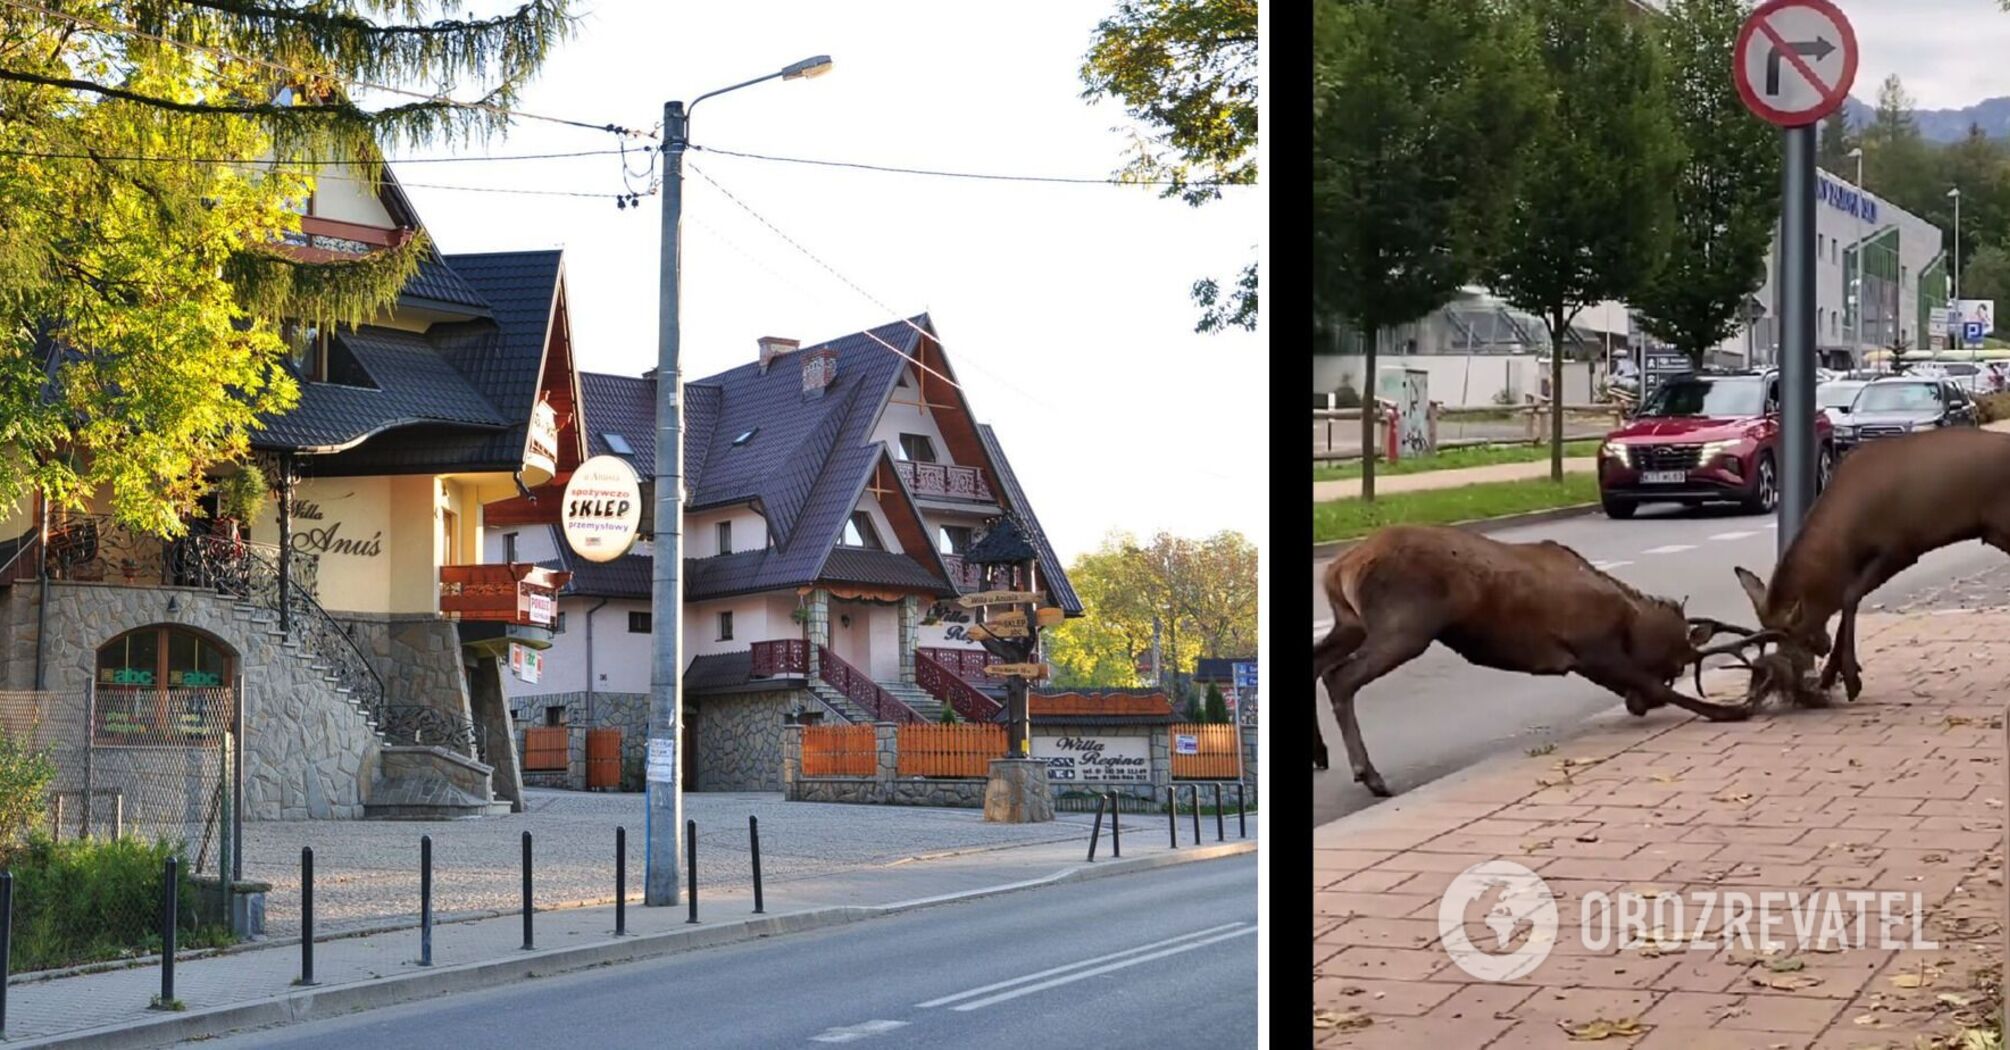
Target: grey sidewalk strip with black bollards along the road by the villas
[{"x": 383, "y": 969}]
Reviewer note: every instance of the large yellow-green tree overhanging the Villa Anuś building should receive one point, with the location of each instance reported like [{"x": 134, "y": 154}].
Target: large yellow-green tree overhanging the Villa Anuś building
[{"x": 142, "y": 287}]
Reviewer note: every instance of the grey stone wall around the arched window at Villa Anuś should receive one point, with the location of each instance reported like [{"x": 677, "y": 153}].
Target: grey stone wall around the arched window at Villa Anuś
[{"x": 307, "y": 749}]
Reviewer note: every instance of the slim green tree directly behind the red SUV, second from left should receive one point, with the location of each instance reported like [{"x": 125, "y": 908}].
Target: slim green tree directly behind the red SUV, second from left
[{"x": 1595, "y": 206}]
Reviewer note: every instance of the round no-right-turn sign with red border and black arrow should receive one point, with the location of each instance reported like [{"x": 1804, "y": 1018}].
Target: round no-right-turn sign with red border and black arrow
[{"x": 1796, "y": 61}]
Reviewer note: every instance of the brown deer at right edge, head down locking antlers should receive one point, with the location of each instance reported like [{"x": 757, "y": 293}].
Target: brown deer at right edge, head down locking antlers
[{"x": 1886, "y": 506}]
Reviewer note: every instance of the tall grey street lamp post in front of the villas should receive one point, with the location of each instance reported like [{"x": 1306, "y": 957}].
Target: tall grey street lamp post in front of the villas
[{"x": 664, "y": 796}]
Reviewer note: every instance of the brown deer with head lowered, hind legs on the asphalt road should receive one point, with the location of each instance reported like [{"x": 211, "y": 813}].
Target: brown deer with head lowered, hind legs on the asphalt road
[{"x": 1537, "y": 608}]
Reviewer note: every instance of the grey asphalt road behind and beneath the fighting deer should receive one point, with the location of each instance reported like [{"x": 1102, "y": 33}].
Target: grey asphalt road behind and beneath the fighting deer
[{"x": 1440, "y": 715}]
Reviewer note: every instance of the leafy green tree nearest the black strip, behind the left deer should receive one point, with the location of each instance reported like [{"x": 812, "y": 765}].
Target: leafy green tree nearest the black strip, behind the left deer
[{"x": 1420, "y": 116}]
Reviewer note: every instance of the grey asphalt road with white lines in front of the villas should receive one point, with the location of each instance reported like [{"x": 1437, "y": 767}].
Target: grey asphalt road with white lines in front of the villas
[{"x": 1159, "y": 960}]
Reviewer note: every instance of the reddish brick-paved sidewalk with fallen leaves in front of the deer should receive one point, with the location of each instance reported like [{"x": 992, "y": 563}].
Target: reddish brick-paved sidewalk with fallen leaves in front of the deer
[{"x": 1900, "y": 792}]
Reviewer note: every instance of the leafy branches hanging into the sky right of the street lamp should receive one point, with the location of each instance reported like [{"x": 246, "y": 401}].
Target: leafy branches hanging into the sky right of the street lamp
[{"x": 1187, "y": 71}]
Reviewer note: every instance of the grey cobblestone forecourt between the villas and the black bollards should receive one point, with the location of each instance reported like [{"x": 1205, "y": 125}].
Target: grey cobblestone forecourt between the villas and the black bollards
[{"x": 367, "y": 872}]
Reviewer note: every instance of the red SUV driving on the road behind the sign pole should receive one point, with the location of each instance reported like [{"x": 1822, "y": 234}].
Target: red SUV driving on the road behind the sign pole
[{"x": 1707, "y": 437}]
